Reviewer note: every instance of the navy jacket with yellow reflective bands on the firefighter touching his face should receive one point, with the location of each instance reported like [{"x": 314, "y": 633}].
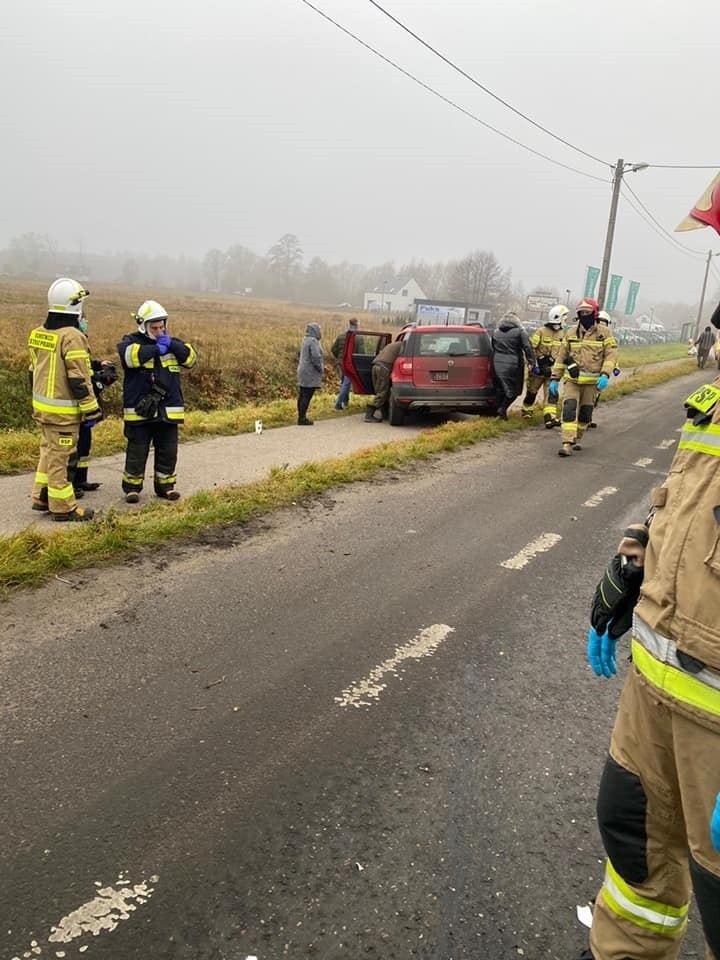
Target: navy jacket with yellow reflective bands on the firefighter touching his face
[{"x": 147, "y": 373}]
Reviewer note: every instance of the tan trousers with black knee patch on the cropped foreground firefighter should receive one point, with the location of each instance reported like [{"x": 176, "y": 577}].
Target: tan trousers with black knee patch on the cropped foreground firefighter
[{"x": 656, "y": 797}]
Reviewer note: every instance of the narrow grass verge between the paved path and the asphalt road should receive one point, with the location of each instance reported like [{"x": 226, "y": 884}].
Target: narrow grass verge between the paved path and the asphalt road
[{"x": 29, "y": 558}]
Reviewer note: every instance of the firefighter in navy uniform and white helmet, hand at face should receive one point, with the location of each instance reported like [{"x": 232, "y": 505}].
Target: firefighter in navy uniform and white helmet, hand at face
[{"x": 152, "y": 400}]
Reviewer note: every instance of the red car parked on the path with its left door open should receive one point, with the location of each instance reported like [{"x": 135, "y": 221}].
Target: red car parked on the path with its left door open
[{"x": 443, "y": 369}]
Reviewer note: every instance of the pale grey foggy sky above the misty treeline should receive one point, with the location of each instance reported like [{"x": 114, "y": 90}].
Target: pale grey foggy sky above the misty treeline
[{"x": 168, "y": 126}]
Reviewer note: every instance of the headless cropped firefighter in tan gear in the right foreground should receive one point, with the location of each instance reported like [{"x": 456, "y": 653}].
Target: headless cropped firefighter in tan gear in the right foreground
[{"x": 659, "y": 798}]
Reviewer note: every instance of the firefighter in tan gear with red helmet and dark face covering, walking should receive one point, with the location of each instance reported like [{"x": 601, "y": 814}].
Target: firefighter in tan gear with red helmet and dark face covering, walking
[{"x": 585, "y": 362}]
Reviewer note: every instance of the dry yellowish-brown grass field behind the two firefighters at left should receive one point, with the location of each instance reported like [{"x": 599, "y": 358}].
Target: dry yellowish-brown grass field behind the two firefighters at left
[{"x": 248, "y": 349}]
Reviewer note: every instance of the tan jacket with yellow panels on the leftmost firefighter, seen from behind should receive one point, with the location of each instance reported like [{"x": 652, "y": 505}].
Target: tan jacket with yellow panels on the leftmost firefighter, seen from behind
[{"x": 63, "y": 395}]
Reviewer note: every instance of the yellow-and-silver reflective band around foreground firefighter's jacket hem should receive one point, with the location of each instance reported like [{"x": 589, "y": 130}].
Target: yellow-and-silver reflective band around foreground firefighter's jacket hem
[{"x": 656, "y": 658}]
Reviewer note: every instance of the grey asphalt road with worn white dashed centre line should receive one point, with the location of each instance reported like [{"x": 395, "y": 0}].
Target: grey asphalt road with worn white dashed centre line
[{"x": 361, "y": 728}]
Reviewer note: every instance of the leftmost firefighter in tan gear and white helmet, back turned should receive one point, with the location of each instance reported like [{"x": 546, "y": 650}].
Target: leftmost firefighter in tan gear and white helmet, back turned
[{"x": 63, "y": 399}]
